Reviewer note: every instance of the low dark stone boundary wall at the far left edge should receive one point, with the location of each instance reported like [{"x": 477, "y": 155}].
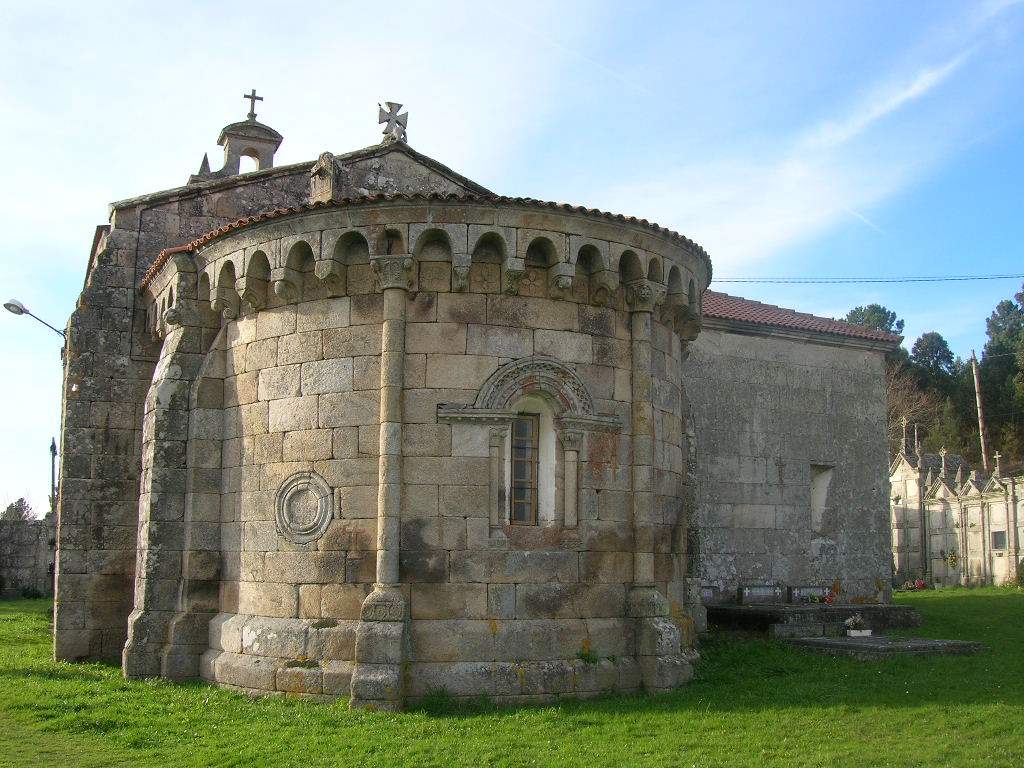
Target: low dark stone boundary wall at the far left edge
[{"x": 27, "y": 549}]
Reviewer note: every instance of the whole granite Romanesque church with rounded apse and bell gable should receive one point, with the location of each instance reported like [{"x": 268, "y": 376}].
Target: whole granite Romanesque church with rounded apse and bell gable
[{"x": 362, "y": 428}]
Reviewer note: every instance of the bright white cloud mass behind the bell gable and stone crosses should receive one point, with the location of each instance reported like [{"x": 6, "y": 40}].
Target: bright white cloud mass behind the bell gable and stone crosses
[{"x": 100, "y": 106}]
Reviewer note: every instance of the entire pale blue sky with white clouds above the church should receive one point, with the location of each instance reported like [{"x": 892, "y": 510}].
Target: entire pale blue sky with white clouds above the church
[{"x": 809, "y": 140}]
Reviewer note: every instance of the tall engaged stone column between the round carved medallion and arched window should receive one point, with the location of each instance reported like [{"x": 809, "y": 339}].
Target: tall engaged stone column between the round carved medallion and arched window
[{"x": 380, "y": 637}]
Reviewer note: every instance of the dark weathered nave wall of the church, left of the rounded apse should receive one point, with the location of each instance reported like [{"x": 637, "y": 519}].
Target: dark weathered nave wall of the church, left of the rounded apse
[{"x": 110, "y": 364}]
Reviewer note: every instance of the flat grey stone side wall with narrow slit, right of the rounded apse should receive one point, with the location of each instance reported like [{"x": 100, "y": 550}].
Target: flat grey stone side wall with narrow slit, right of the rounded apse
[{"x": 793, "y": 480}]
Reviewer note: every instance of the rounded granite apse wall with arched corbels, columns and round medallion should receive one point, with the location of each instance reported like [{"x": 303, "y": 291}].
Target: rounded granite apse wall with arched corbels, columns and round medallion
[{"x": 361, "y": 393}]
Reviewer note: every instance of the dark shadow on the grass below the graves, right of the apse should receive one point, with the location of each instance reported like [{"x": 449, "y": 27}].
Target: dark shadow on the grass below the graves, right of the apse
[{"x": 743, "y": 672}]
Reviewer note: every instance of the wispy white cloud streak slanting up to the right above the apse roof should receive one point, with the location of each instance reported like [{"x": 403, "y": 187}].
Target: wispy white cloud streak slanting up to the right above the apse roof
[{"x": 756, "y": 203}]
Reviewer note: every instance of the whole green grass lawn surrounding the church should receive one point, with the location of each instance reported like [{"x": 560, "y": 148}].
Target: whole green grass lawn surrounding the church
[{"x": 754, "y": 703}]
